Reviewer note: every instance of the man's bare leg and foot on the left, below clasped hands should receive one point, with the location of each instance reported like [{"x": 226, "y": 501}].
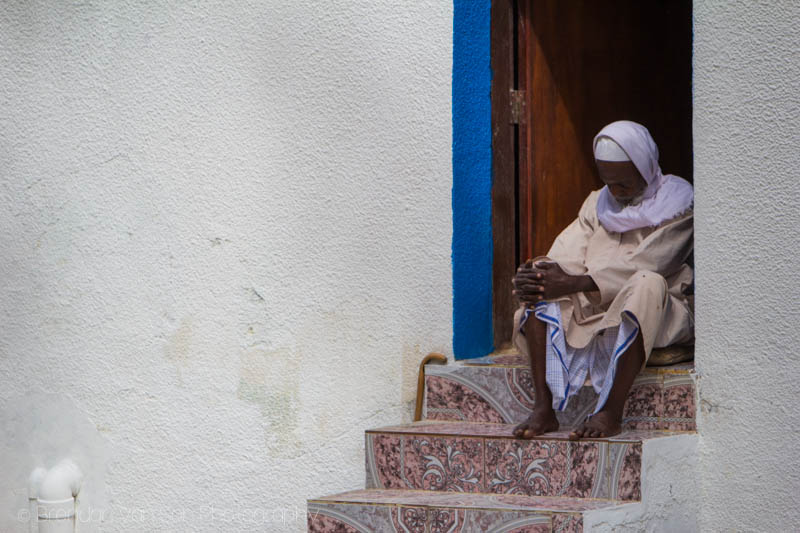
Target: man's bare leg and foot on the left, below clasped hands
[{"x": 543, "y": 418}]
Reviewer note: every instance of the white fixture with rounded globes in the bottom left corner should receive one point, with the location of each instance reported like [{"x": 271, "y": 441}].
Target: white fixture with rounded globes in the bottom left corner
[{"x": 56, "y": 494}]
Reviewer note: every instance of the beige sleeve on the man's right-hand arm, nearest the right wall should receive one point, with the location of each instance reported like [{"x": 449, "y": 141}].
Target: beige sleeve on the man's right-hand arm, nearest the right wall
[{"x": 663, "y": 251}]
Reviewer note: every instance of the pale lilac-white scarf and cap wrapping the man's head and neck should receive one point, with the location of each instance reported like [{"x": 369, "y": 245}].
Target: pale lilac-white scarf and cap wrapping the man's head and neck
[{"x": 665, "y": 196}]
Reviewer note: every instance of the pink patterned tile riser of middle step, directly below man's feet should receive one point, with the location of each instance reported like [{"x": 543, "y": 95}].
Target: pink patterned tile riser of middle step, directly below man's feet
[{"x": 585, "y": 469}]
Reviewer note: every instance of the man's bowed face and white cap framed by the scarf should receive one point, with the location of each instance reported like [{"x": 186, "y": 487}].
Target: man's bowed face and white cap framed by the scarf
[{"x": 618, "y": 172}]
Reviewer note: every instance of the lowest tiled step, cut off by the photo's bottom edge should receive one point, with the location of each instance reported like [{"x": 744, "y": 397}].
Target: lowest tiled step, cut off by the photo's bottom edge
[{"x": 384, "y": 510}]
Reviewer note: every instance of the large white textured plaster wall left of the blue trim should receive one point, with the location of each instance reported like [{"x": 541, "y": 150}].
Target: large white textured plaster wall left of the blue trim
[{"x": 226, "y": 234}]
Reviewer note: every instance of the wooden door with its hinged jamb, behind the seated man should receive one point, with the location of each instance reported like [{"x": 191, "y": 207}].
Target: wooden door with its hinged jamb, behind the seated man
[{"x": 573, "y": 66}]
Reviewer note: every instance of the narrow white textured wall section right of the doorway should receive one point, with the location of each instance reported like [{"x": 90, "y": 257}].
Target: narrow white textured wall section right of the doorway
[{"x": 747, "y": 224}]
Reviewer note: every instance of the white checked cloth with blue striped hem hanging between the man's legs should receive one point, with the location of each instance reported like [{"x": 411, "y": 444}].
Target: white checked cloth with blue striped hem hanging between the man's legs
[{"x": 568, "y": 367}]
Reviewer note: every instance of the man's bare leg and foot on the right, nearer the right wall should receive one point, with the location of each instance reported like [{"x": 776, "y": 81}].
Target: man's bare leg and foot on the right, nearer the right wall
[{"x": 608, "y": 421}]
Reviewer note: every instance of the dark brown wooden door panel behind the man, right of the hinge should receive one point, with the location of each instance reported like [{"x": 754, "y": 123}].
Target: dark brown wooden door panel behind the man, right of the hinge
[{"x": 585, "y": 64}]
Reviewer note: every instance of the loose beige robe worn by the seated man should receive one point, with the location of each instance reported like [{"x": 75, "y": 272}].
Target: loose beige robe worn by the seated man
[{"x": 643, "y": 271}]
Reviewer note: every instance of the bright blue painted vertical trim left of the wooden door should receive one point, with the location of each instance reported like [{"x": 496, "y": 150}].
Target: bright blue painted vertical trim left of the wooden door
[{"x": 472, "y": 180}]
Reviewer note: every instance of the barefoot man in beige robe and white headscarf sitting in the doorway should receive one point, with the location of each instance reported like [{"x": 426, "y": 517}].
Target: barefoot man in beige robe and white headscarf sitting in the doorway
[{"x": 611, "y": 287}]
